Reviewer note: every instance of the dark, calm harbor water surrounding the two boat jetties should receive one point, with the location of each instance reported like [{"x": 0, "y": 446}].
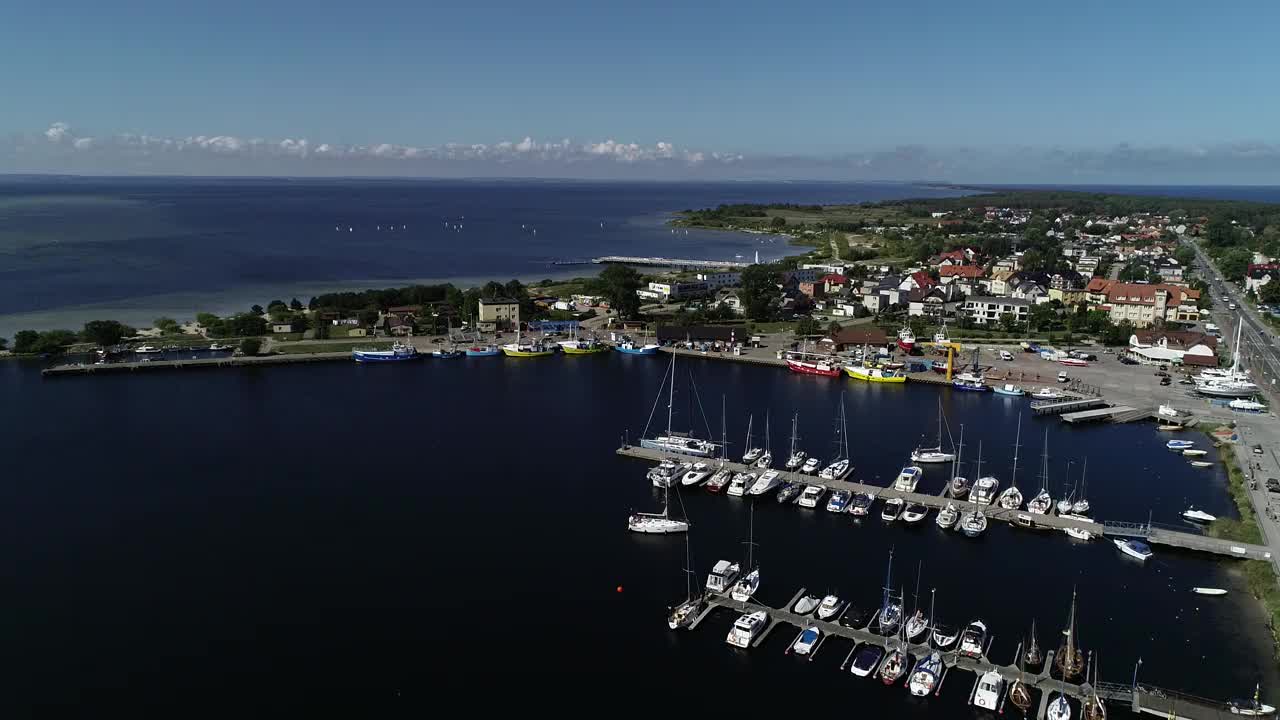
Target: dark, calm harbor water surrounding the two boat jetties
[{"x": 355, "y": 526}]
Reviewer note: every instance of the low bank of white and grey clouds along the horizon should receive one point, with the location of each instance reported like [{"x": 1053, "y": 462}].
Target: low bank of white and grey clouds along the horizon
[{"x": 62, "y": 149}]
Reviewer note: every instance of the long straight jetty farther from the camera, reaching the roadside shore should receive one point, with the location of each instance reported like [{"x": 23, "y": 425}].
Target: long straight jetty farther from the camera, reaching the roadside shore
[{"x": 1153, "y": 534}]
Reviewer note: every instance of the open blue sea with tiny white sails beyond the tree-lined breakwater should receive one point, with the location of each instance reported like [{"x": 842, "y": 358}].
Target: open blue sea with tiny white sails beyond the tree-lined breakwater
[{"x": 79, "y": 249}]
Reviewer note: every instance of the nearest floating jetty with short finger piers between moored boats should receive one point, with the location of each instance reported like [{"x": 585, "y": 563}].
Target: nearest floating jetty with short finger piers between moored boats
[{"x": 1140, "y": 698}]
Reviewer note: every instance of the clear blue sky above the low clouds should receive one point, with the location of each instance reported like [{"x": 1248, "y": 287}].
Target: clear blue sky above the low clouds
[{"x": 968, "y": 85}]
